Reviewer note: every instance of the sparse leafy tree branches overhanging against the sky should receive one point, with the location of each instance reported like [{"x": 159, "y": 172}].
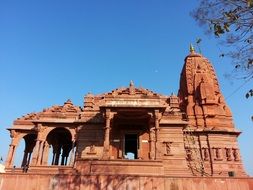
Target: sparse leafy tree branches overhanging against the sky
[{"x": 232, "y": 22}]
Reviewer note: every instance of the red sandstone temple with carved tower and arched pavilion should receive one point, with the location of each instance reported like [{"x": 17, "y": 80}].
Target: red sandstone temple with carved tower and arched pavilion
[{"x": 133, "y": 138}]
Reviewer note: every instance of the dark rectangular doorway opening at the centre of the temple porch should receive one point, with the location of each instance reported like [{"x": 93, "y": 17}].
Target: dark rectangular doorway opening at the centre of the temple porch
[{"x": 131, "y": 146}]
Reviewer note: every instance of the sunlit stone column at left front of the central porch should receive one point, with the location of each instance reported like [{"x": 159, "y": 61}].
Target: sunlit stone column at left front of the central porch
[{"x": 106, "y": 154}]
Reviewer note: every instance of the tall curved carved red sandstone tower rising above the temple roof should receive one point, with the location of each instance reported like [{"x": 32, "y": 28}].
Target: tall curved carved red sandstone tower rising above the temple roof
[{"x": 199, "y": 94}]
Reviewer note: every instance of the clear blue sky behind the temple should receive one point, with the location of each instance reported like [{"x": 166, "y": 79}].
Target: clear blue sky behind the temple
[{"x": 54, "y": 50}]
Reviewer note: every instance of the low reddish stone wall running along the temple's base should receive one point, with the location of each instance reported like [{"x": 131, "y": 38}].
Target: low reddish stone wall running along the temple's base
[{"x": 26, "y": 181}]
